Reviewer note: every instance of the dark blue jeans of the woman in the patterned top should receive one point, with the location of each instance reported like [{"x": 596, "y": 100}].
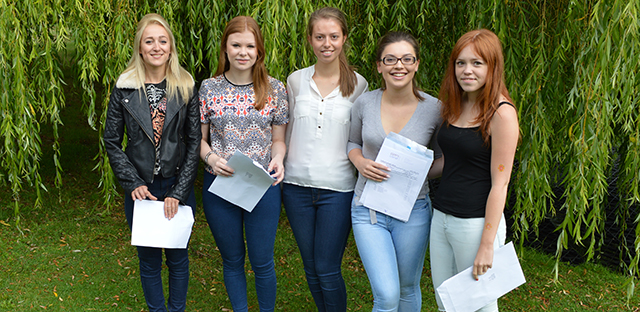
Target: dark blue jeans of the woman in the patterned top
[{"x": 227, "y": 222}]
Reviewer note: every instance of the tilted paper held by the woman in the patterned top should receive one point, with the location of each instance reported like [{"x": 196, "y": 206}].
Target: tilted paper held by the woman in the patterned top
[{"x": 247, "y": 184}]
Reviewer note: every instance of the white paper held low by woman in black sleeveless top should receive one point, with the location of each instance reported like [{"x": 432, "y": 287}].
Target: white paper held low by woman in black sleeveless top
[{"x": 463, "y": 293}]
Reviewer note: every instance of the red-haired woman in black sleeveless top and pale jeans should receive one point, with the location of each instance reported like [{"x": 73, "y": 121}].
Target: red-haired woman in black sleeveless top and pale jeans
[{"x": 478, "y": 138}]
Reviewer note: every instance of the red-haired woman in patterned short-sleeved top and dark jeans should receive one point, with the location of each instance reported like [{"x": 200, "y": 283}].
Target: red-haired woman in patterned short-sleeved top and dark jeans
[{"x": 244, "y": 109}]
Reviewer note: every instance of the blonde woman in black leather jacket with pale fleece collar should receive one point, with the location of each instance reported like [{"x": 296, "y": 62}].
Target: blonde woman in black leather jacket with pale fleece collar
[{"x": 155, "y": 101}]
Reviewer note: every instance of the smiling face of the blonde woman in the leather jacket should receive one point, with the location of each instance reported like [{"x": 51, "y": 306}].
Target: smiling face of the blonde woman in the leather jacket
[{"x": 155, "y": 46}]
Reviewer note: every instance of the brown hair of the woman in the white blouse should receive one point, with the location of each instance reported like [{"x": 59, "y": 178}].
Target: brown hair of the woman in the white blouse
[{"x": 348, "y": 78}]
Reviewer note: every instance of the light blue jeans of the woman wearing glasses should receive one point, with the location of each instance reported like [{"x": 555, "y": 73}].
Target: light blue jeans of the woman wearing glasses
[{"x": 393, "y": 254}]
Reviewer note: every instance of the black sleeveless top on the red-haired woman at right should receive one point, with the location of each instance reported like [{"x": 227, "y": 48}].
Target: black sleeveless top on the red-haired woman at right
[{"x": 466, "y": 176}]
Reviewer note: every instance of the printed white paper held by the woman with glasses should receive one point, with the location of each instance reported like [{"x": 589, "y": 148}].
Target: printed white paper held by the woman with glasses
[{"x": 409, "y": 163}]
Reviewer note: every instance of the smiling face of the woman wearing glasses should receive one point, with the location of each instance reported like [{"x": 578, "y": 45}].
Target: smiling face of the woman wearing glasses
[{"x": 400, "y": 75}]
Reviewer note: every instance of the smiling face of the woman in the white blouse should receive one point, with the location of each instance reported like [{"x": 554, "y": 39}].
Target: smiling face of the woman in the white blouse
[{"x": 327, "y": 40}]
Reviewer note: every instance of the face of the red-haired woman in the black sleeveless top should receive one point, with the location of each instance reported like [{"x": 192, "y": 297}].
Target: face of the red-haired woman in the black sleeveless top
[{"x": 471, "y": 71}]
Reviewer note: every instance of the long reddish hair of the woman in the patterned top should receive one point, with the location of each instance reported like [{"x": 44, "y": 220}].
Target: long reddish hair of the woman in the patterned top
[{"x": 259, "y": 72}]
